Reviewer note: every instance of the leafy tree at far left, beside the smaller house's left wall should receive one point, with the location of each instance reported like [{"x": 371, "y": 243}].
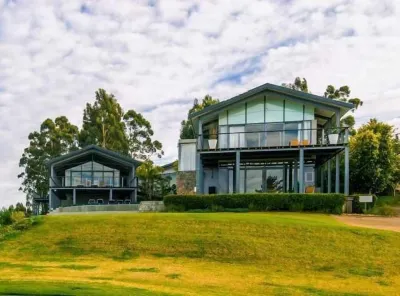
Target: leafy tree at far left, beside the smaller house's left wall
[{"x": 53, "y": 139}]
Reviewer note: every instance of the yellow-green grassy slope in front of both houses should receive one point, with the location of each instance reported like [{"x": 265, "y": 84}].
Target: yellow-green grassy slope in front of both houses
[{"x": 200, "y": 254}]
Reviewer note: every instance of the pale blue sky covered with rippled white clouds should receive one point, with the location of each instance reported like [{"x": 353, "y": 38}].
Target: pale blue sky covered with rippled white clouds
[{"x": 156, "y": 56}]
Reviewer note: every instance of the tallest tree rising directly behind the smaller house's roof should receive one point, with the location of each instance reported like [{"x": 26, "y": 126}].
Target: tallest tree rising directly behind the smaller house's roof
[{"x": 103, "y": 125}]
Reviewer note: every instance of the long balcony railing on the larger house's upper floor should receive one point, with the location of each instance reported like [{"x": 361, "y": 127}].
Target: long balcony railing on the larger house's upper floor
[{"x": 274, "y": 138}]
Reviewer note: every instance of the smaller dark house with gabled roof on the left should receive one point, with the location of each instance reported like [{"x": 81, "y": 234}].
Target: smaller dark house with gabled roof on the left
[{"x": 91, "y": 173}]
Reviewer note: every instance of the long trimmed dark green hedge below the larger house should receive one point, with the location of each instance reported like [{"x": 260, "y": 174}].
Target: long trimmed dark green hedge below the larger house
[{"x": 296, "y": 202}]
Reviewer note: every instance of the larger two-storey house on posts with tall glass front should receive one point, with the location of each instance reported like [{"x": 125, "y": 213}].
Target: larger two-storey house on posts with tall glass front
[{"x": 269, "y": 139}]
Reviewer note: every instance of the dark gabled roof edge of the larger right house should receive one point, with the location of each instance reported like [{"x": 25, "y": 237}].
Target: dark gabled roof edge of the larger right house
[{"x": 274, "y": 88}]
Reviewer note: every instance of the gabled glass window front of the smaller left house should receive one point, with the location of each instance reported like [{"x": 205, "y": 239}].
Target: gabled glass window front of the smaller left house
[{"x": 92, "y": 174}]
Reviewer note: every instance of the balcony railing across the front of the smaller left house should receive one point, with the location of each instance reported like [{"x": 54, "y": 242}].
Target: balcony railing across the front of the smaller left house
[{"x": 94, "y": 182}]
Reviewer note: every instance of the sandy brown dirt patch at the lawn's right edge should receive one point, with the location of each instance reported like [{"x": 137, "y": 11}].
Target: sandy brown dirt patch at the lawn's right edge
[{"x": 386, "y": 223}]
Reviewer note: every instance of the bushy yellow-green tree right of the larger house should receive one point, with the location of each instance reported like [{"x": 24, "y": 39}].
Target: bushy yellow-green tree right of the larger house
[{"x": 373, "y": 157}]
